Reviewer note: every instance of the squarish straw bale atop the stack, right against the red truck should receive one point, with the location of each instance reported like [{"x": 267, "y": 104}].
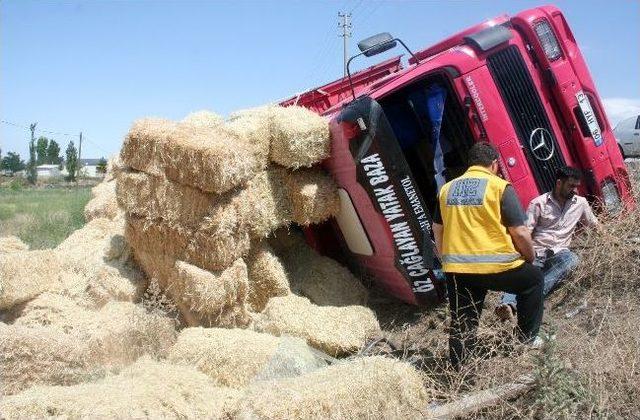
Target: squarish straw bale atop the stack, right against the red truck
[{"x": 300, "y": 137}]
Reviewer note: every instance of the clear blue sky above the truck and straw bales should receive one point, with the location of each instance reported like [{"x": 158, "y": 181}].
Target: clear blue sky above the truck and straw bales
[{"x": 96, "y": 66}]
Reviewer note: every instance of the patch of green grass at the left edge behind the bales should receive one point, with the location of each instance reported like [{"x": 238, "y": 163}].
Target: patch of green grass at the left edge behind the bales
[{"x": 42, "y": 218}]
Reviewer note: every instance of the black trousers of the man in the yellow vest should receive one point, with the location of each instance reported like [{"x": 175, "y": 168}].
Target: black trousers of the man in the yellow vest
[{"x": 466, "y": 294}]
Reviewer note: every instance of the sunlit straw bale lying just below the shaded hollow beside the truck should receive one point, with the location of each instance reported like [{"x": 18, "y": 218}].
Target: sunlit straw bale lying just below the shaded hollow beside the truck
[{"x": 334, "y": 330}]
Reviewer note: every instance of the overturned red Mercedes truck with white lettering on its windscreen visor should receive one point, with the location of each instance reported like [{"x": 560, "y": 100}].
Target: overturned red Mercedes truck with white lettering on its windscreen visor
[{"x": 400, "y": 131}]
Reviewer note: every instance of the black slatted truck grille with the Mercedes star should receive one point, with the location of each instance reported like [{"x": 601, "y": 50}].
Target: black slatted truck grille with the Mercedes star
[{"x": 518, "y": 92}]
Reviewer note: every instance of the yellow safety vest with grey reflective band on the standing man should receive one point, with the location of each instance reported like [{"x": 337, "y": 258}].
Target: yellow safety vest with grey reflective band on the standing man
[{"x": 474, "y": 239}]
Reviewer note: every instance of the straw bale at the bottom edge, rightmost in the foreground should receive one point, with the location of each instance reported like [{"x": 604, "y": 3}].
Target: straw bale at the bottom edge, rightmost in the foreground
[{"x": 370, "y": 387}]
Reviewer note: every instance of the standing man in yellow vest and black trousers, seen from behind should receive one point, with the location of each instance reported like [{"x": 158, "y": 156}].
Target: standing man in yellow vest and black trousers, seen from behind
[{"x": 480, "y": 233}]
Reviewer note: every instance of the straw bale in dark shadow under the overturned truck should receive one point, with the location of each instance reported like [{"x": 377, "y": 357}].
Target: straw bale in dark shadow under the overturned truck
[{"x": 323, "y": 280}]
